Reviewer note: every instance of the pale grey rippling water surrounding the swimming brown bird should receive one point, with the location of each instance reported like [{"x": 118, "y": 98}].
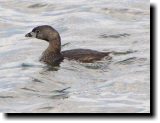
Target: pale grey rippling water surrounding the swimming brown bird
[{"x": 121, "y": 84}]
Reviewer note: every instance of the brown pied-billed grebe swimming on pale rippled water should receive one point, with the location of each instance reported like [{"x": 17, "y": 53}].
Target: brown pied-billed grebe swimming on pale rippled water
[{"x": 53, "y": 53}]
